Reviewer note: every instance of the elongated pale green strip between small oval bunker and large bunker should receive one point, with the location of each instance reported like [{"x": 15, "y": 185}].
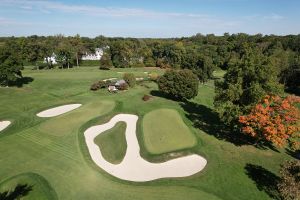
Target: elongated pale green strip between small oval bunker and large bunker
[{"x": 71, "y": 121}]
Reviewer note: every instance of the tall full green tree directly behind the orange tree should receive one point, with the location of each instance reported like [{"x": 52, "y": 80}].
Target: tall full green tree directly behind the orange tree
[{"x": 247, "y": 80}]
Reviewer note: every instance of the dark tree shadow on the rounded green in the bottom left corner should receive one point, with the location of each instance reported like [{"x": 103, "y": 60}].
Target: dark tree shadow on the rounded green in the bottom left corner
[{"x": 21, "y": 190}]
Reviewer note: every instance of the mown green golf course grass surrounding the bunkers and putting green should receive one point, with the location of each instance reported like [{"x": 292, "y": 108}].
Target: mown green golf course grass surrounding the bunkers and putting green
[{"x": 61, "y": 157}]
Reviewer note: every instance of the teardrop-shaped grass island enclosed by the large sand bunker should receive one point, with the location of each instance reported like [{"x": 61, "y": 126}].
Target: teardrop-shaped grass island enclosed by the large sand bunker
[{"x": 112, "y": 143}]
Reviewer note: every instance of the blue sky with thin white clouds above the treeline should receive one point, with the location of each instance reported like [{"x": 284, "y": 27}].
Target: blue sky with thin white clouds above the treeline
[{"x": 151, "y": 18}]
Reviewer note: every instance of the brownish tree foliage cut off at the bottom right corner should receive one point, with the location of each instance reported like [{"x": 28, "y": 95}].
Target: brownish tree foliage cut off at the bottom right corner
[{"x": 289, "y": 186}]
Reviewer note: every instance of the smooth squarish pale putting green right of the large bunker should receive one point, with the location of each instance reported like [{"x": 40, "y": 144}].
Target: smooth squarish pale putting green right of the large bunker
[{"x": 164, "y": 131}]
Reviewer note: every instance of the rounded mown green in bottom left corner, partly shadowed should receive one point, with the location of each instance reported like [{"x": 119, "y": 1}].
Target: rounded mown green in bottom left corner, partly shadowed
[{"x": 41, "y": 189}]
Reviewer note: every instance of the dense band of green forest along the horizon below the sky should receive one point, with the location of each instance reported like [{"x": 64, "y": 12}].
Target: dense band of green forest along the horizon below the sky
[{"x": 279, "y": 56}]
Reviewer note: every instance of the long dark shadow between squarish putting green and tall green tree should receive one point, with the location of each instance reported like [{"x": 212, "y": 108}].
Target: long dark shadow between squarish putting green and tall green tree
[{"x": 207, "y": 120}]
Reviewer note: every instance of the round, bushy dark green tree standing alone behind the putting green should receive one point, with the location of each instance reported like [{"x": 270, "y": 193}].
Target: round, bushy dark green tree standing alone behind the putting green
[{"x": 181, "y": 84}]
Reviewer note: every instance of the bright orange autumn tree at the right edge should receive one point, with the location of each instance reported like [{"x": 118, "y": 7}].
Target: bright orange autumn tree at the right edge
[{"x": 274, "y": 119}]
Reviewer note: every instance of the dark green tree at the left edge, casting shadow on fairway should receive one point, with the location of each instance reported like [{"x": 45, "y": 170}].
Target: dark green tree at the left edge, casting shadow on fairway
[{"x": 10, "y": 64}]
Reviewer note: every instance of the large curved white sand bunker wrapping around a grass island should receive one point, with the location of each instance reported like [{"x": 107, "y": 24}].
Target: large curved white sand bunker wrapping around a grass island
[{"x": 134, "y": 167}]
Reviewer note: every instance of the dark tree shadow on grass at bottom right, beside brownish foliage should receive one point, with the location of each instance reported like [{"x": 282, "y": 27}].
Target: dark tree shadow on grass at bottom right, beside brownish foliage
[{"x": 265, "y": 180}]
